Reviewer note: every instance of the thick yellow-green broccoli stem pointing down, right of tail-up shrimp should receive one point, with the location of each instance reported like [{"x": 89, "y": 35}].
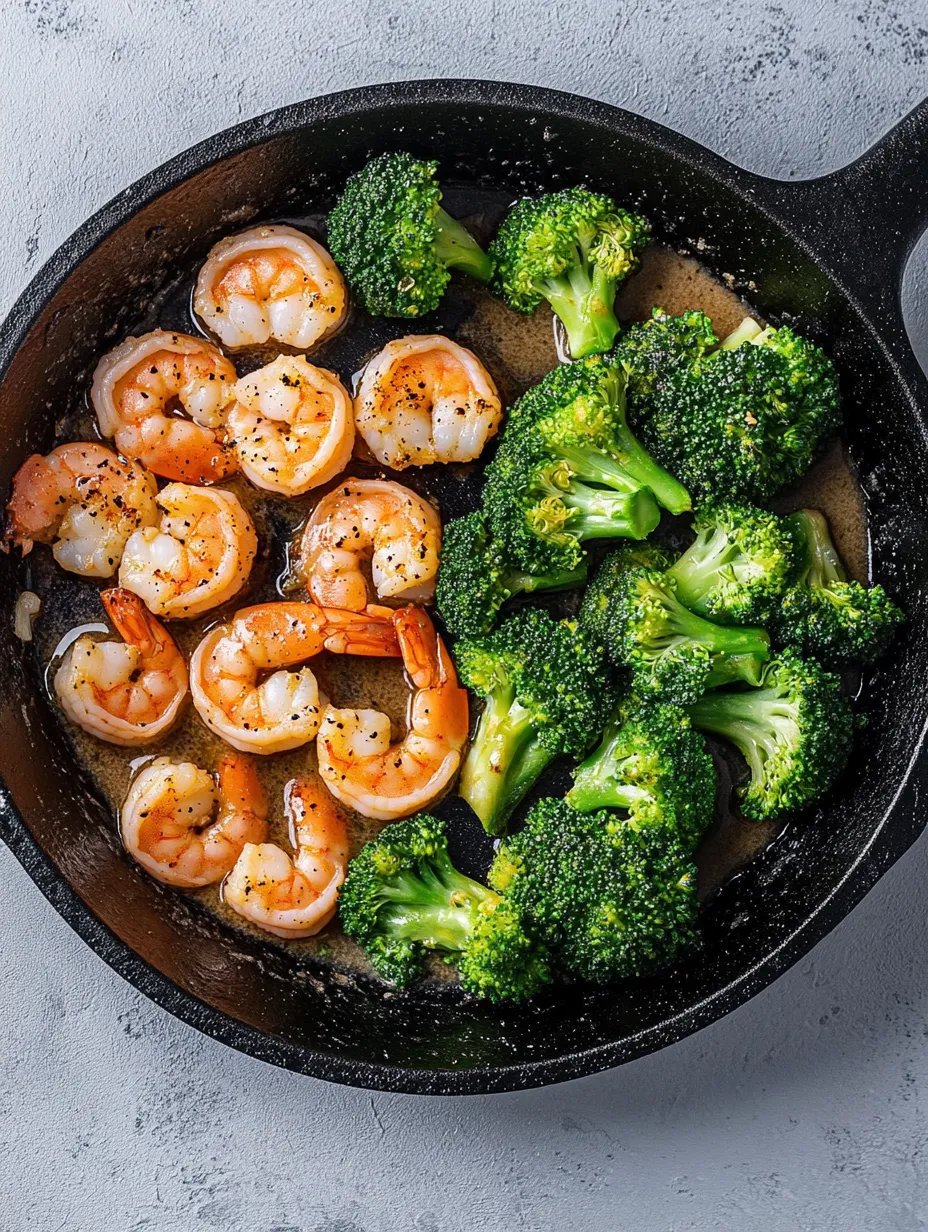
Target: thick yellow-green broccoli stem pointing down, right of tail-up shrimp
[{"x": 505, "y": 761}]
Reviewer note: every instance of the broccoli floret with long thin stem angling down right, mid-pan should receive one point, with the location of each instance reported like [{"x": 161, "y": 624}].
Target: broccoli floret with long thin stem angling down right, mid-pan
[{"x": 580, "y": 410}]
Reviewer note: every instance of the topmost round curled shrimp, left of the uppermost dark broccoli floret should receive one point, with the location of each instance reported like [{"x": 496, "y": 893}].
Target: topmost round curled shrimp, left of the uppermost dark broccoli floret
[{"x": 271, "y": 284}]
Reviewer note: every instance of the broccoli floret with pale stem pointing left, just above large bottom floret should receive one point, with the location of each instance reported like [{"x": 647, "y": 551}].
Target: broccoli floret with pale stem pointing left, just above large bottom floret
[{"x": 656, "y": 767}]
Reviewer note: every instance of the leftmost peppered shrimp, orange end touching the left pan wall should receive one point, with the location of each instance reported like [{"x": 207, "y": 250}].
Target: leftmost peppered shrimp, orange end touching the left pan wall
[{"x": 86, "y": 502}]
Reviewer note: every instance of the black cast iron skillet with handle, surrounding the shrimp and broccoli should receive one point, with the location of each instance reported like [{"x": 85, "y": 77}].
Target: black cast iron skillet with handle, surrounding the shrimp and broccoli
[{"x": 828, "y": 252}]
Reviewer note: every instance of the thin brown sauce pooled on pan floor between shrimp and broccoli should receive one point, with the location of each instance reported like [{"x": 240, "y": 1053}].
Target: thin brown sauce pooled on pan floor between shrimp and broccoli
[{"x": 517, "y": 351}]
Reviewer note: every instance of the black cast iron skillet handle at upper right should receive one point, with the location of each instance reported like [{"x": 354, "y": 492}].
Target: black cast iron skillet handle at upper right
[{"x": 865, "y": 220}]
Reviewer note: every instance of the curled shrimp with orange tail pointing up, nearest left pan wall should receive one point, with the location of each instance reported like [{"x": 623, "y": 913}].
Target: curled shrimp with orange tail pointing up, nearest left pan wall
[{"x": 124, "y": 693}]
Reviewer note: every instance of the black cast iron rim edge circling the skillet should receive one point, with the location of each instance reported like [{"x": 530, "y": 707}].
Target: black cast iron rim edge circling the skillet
[{"x": 867, "y": 867}]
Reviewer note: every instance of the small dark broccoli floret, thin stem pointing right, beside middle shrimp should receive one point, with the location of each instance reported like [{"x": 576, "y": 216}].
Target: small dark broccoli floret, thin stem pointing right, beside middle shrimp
[{"x": 475, "y": 578}]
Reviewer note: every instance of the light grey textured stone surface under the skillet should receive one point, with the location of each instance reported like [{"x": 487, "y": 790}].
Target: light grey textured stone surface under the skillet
[{"x": 804, "y": 1111}]
